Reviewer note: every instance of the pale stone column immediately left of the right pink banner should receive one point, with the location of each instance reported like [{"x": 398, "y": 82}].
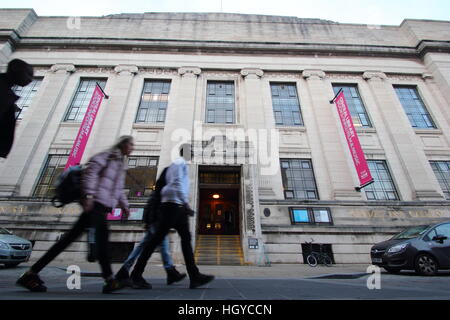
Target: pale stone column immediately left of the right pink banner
[{"x": 327, "y": 148}]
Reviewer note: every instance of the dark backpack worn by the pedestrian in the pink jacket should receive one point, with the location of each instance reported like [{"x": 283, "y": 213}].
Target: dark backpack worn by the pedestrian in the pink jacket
[{"x": 68, "y": 187}]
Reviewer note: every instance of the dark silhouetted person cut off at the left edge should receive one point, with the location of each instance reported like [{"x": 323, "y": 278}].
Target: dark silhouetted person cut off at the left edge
[{"x": 18, "y": 73}]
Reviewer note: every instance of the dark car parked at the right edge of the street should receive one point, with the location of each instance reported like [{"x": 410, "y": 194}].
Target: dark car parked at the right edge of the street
[{"x": 425, "y": 249}]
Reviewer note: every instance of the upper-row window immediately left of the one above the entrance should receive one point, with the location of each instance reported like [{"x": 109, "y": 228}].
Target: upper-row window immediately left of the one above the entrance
[{"x": 154, "y": 100}]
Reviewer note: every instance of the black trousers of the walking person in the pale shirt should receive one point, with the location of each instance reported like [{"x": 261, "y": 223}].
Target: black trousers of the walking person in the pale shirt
[{"x": 172, "y": 216}]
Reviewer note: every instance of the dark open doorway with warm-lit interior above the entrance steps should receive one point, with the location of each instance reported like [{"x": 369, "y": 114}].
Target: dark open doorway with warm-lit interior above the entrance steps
[{"x": 219, "y": 211}]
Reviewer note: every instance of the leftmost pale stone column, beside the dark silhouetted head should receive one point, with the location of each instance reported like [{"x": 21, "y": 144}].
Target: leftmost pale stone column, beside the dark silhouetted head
[{"x": 31, "y": 147}]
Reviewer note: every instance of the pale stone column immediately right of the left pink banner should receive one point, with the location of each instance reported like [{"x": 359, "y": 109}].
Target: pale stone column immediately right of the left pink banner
[{"x": 109, "y": 125}]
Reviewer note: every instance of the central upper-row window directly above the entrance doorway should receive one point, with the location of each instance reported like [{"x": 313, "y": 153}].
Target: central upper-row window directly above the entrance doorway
[{"x": 220, "y": 102}]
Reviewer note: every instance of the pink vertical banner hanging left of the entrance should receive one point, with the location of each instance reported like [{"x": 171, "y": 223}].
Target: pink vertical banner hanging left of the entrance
[{"x": 85, "y": 129}]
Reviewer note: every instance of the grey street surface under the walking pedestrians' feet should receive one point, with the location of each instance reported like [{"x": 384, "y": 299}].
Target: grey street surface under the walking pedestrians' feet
[{"x": 275, "y": 282}]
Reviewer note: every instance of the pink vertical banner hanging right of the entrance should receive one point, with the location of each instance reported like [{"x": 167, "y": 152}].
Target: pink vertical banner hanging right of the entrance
[{"x": 359, "y": 160}]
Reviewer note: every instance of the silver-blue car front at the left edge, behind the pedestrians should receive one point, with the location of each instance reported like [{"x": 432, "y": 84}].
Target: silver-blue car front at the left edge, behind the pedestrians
[{"x": 13, "y": 249}]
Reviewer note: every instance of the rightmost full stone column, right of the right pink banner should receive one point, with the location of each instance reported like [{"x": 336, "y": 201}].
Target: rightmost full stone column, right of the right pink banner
[{"x": 406, "y": 146}]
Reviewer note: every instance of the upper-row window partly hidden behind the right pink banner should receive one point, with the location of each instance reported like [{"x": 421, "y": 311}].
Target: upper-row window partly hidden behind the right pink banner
[{"x": 355, "y": 105}]
